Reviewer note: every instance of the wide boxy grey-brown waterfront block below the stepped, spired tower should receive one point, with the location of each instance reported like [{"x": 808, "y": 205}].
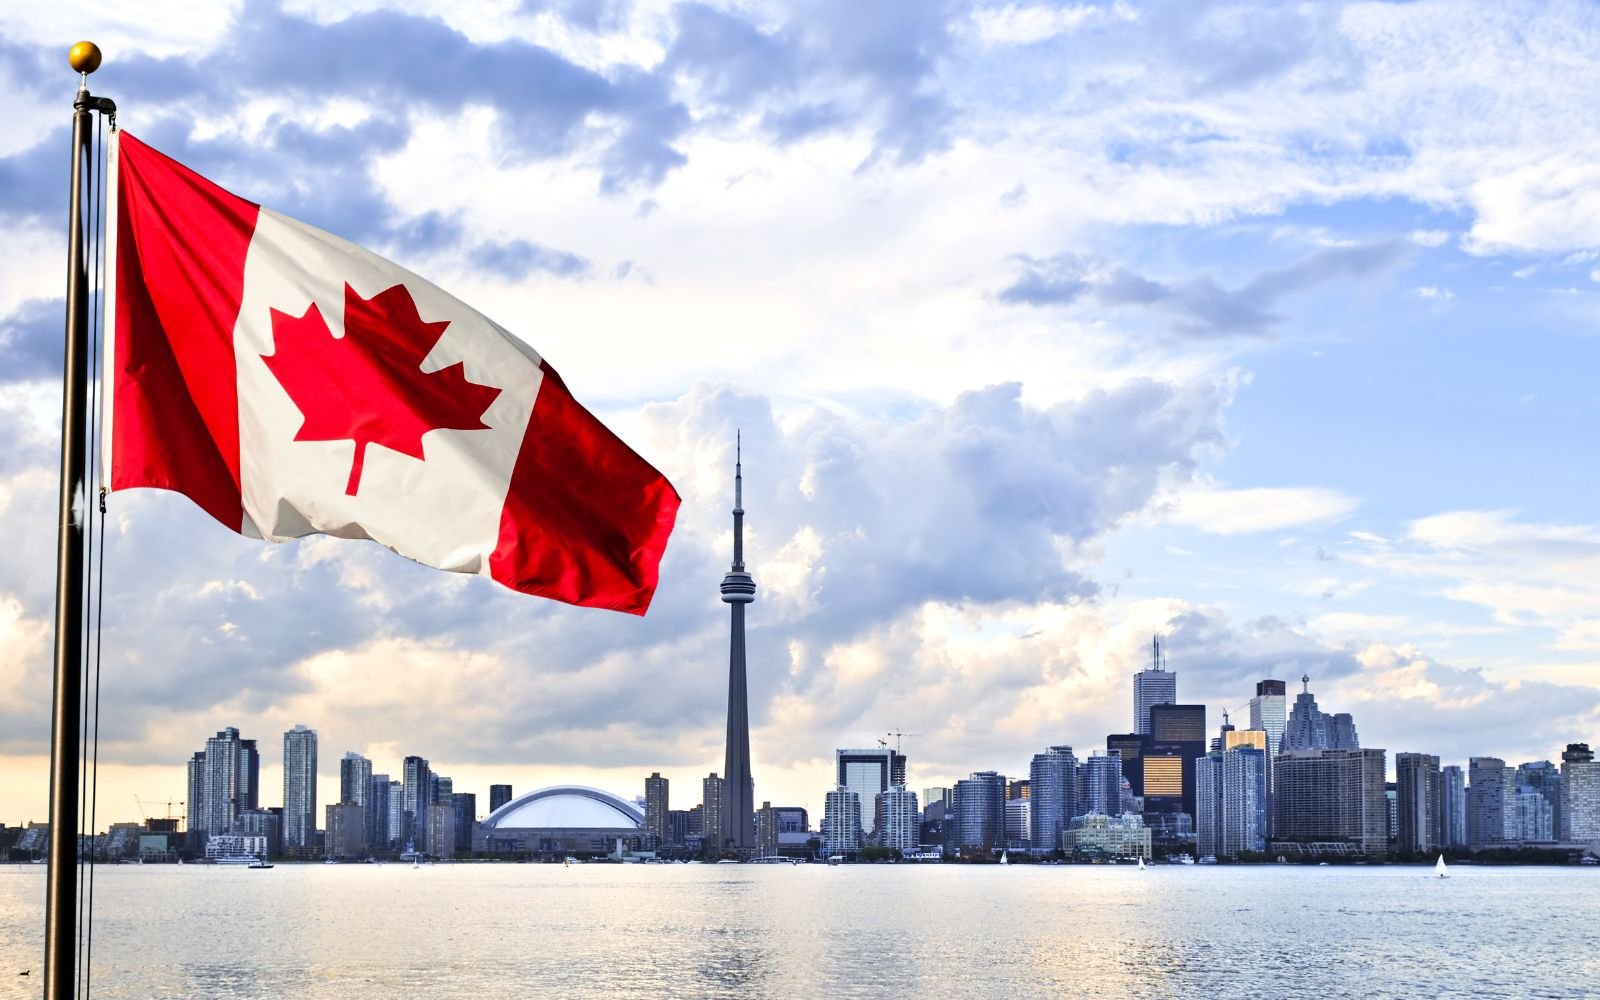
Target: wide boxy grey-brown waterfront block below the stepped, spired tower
[{"x": 1332, "y": 798}]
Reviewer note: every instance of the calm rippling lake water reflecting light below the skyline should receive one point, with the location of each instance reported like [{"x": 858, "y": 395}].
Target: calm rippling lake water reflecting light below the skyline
[{"x": 508, "y": 930}]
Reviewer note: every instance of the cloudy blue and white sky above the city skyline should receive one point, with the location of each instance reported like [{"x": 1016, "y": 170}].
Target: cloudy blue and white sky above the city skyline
[{"x": 1268, "y": 329}]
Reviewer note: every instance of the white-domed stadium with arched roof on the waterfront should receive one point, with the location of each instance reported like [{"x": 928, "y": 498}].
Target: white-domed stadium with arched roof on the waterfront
[{"x": 561, "y": 820}]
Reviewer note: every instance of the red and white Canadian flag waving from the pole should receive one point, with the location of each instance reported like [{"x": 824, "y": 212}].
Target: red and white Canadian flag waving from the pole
[{"x": 292, "y": 383}]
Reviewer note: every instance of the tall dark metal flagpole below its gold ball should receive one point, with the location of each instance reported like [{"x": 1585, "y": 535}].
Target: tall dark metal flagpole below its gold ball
[{"x": 60, "y": 918}]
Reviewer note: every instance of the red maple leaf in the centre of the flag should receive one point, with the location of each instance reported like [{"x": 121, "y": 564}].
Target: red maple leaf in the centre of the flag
[{"x": 369, "y": 386}]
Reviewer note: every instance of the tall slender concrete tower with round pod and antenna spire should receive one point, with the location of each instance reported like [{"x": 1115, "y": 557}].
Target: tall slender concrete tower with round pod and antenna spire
[{"x": 737, "y": 814}]
